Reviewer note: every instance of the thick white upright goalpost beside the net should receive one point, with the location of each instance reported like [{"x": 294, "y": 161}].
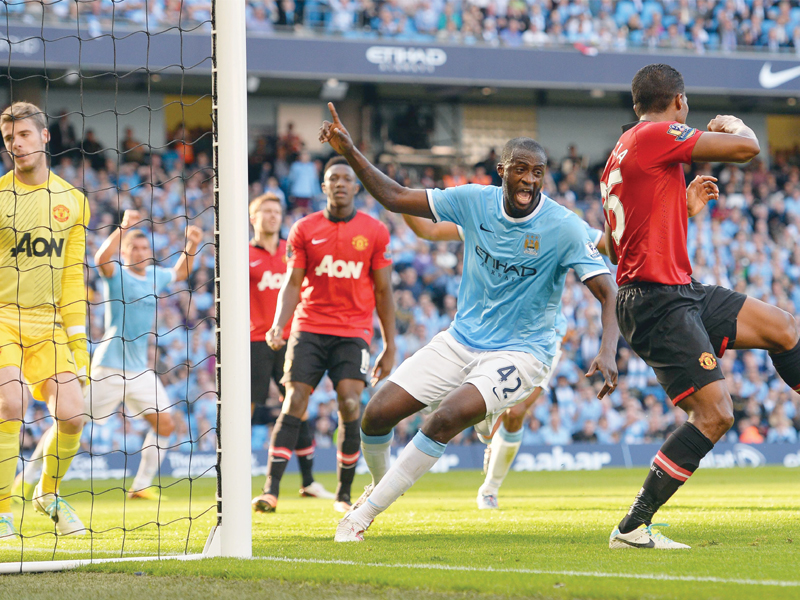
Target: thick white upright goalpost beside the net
[{"x": 234, "y": 526}]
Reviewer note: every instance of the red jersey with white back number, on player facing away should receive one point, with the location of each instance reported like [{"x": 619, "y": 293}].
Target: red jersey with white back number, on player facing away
[{"x": 644, "y": 201}]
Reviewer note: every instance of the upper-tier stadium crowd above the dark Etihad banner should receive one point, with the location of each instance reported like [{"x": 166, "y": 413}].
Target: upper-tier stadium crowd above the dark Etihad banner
[{"x": 695, "y": 25}]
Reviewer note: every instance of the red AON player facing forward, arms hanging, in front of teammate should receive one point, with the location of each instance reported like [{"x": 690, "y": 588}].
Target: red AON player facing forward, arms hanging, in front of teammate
[{"x": 339, "y": 275}]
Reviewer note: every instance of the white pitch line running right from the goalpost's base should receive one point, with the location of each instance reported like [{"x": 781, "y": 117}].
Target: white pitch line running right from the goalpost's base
[{"x": 647, "y": 576}]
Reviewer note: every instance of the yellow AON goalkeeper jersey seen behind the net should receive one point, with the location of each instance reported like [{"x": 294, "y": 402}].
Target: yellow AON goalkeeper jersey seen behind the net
[{"x": 42, "y": 256}]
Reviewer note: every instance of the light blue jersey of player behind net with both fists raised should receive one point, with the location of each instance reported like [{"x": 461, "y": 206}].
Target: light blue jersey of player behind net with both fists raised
[{"x": 130, "y": 317}]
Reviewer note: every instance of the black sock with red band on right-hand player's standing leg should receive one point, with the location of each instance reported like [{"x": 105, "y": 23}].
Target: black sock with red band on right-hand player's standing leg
[{"x": 678, "y": 458}]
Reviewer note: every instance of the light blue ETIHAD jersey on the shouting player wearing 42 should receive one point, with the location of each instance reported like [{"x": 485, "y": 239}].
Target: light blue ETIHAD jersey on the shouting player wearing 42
[{"x": 514, "y": 269}]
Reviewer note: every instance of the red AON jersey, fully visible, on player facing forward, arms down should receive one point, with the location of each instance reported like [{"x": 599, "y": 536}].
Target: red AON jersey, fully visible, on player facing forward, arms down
[{"x": 339, "y": 257}]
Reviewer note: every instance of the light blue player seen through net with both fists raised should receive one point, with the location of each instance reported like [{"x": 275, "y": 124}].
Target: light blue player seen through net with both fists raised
[{"x": 120, "y": 373}]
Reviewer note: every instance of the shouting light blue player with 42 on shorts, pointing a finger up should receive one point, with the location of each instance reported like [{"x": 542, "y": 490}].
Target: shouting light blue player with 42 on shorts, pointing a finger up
[{"x": 519, "y": 246}]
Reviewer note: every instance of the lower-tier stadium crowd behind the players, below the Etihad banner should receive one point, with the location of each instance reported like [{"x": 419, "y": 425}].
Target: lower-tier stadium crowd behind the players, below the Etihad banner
[{"x": 745, "y": 241}]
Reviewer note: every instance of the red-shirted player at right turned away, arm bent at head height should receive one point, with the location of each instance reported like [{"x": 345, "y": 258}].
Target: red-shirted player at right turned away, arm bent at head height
[{"x": 677, "y": 325}]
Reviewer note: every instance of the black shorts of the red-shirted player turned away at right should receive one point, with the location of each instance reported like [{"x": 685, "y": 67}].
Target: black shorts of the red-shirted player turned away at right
[{"x": 679, "y": 330}]
